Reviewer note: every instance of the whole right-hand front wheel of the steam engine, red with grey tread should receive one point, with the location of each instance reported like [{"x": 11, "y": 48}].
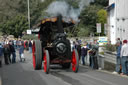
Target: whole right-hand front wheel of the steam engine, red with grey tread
[{"x": 75, "y": 61}]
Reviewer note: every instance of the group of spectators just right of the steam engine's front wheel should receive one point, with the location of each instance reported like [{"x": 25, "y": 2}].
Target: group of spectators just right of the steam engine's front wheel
[{"x": 84, "y": 48}]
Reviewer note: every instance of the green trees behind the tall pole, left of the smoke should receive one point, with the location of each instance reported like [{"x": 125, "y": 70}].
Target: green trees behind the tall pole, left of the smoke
[{"x": 9, "y": 9}]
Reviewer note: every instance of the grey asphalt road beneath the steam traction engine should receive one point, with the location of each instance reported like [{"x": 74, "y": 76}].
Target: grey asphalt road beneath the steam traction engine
[{"x": 22, "y": 73}]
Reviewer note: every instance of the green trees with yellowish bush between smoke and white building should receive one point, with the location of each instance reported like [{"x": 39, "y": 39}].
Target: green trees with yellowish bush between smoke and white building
[{"x": 91, "y": 15}]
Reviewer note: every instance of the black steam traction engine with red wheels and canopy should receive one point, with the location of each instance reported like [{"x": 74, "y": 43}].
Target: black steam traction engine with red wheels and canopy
[{"x": 53, "y": 47}]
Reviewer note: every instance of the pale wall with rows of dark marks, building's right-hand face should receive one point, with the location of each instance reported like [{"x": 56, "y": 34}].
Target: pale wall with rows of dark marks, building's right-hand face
[{"x": 122, "y": 22}]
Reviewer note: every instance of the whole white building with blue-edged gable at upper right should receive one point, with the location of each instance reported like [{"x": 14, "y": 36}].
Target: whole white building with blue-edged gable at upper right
[{"x": 117, "y": 20}]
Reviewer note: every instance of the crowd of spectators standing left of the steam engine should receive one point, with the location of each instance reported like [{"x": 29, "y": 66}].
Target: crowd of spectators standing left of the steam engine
[{"x": 8, "y": 50}]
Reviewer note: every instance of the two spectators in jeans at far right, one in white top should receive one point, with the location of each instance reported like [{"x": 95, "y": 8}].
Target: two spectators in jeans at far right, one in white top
[{"x": 122, "y": 57}]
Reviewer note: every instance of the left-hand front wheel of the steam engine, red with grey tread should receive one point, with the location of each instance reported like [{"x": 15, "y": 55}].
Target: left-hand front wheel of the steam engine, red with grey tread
[{"x": 46, "y": 61}]
